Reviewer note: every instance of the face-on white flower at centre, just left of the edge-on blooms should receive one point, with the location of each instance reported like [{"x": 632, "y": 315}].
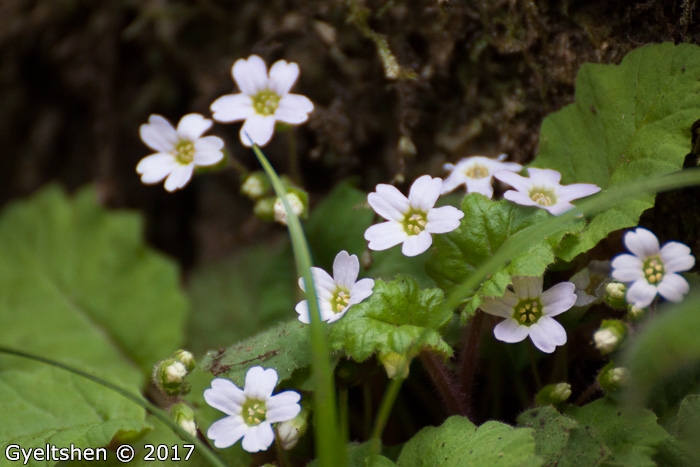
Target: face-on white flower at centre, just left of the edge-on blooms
[{"x": 412, "y": 220}]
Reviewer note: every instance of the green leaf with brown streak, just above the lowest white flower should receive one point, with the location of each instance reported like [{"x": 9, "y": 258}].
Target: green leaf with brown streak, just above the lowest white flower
[{"x": 284, "y": 347}]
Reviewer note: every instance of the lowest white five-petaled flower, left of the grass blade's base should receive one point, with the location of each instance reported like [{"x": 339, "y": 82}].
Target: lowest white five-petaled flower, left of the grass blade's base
[{"x": 251, "y": 411}]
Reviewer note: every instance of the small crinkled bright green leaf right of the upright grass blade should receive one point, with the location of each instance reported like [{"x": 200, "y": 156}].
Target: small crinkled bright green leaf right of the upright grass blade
[{"x": 398, "y": 317}]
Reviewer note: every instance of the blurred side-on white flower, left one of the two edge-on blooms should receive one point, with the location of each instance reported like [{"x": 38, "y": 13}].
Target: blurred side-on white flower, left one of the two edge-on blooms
[{"x": 476, "y": 173}]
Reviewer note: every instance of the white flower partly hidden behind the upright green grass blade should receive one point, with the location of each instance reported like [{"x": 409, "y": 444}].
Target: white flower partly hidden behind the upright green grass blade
[{"x": 336, "y": 294}]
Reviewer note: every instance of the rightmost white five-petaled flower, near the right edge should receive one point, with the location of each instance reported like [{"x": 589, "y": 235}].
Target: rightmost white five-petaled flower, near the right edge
[{"x": 650, "y": 269}]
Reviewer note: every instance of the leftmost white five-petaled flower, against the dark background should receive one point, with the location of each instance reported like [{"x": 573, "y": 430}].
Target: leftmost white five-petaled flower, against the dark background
[{"x": 178, "y": 151}]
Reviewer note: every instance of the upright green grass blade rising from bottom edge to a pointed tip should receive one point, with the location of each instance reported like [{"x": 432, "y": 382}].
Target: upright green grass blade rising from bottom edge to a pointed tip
[{"x": 329, "y": 442}]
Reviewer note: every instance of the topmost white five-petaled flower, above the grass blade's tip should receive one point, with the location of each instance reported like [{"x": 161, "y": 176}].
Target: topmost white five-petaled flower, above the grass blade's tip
[{"x": 263, "y": 99}]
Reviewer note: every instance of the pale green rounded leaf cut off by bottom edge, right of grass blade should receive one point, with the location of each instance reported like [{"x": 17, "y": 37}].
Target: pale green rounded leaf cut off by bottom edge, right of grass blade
[{"x": 458, "y": 442}]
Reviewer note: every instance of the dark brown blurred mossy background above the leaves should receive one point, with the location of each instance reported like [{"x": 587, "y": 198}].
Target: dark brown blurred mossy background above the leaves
[{"x": 78, "y": 77}]
